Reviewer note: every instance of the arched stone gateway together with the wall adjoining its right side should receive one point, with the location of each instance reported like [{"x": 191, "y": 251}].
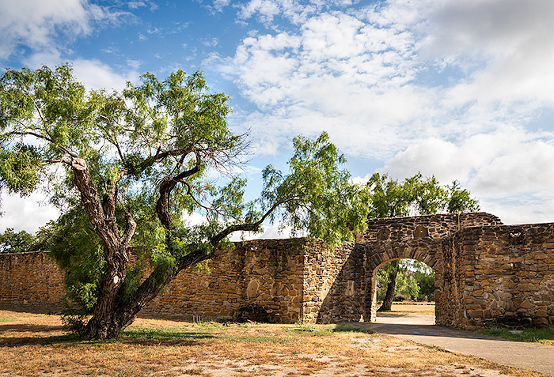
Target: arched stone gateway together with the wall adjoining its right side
[{"x": 486, "y": 273}]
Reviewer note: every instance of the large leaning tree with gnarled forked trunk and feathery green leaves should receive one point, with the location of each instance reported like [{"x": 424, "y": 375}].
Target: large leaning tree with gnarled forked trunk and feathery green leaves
[{"x": 135, "y": 161}]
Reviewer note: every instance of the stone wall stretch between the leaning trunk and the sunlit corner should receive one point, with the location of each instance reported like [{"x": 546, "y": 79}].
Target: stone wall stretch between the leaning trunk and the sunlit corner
[{"x": 260, "y": 279}]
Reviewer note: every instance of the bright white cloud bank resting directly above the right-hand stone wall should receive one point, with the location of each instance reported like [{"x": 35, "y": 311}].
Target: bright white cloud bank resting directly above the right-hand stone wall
[{"x": 509, "y": 170}]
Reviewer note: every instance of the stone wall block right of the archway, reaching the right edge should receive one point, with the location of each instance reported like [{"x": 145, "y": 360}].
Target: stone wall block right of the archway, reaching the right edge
[{"x": 505, "y": 276}]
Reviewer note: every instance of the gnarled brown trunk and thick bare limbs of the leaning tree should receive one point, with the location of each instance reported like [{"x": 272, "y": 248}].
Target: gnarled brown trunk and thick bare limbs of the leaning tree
[{"x": 108, "y": 319}]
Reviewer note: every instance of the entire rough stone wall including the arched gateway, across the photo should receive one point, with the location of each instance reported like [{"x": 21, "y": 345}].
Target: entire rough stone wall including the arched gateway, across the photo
[{"x": 486, "y": 273}]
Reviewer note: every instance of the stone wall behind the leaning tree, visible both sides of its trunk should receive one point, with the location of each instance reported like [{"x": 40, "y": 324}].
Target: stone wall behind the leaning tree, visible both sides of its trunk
[{"x": 260, "y": 279}]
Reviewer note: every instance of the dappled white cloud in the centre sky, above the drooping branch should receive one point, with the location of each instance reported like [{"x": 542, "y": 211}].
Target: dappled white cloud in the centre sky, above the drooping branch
[{"x": 337, "y": 72}]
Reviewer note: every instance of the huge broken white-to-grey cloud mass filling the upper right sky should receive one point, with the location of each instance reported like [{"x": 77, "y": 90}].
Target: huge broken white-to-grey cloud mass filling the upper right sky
[{"x": 361, "y": 73}]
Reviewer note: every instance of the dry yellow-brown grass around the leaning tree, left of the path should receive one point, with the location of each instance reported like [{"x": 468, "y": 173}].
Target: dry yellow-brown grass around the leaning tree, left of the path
[{"x": 33, "y": 344}]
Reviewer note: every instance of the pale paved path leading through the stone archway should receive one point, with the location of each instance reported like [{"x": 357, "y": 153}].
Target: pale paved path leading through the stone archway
[{"x": 421, "y": 329}]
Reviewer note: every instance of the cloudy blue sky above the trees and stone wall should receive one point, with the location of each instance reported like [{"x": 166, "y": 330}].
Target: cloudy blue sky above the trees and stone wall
[{"x": 459, "y": 89}]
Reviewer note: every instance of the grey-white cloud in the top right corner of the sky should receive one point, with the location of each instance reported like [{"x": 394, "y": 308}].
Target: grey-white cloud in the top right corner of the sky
[{"x": 505, "y": 44}]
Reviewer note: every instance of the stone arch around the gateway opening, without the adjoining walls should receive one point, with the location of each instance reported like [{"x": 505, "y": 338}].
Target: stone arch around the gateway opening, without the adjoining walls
[{"x": 424, "y": 238}]
